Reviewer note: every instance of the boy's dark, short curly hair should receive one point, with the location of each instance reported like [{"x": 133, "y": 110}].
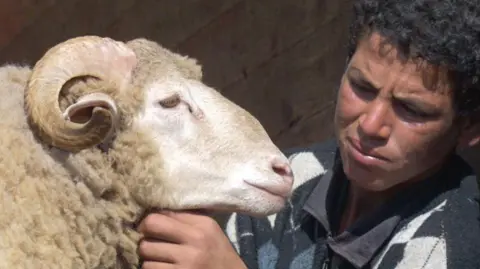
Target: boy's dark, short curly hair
[{"x": 441, "y": 32}]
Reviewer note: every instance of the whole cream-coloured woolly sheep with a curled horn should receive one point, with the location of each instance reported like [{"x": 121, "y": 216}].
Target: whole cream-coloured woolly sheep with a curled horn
[{"x": 99, "y": 132}]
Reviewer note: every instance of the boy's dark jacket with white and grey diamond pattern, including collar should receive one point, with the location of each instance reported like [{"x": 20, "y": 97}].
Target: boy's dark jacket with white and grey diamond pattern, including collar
[{"x": 434, "y": 224}]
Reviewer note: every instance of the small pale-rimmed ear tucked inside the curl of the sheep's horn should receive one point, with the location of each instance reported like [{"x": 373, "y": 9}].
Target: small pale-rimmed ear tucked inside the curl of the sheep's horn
[{"x": 81, "y": 110}]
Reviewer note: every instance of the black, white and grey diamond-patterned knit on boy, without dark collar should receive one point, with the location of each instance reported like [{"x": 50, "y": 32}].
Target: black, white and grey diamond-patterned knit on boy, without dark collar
[{"x": 441, "y": 231}]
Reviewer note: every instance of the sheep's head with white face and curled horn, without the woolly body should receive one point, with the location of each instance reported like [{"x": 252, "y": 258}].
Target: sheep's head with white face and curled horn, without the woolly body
[{"x": 206, "y": 151}]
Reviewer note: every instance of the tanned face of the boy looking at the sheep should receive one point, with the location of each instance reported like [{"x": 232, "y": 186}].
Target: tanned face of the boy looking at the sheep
[{"x": 394, "y": 120}]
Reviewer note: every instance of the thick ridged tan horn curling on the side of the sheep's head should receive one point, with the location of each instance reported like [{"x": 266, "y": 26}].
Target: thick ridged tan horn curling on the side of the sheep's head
[{"x": 103, "y": 58}]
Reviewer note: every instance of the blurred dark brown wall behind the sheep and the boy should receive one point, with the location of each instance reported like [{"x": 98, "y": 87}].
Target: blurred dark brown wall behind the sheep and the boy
[{"x": 279, "y": 59}]
